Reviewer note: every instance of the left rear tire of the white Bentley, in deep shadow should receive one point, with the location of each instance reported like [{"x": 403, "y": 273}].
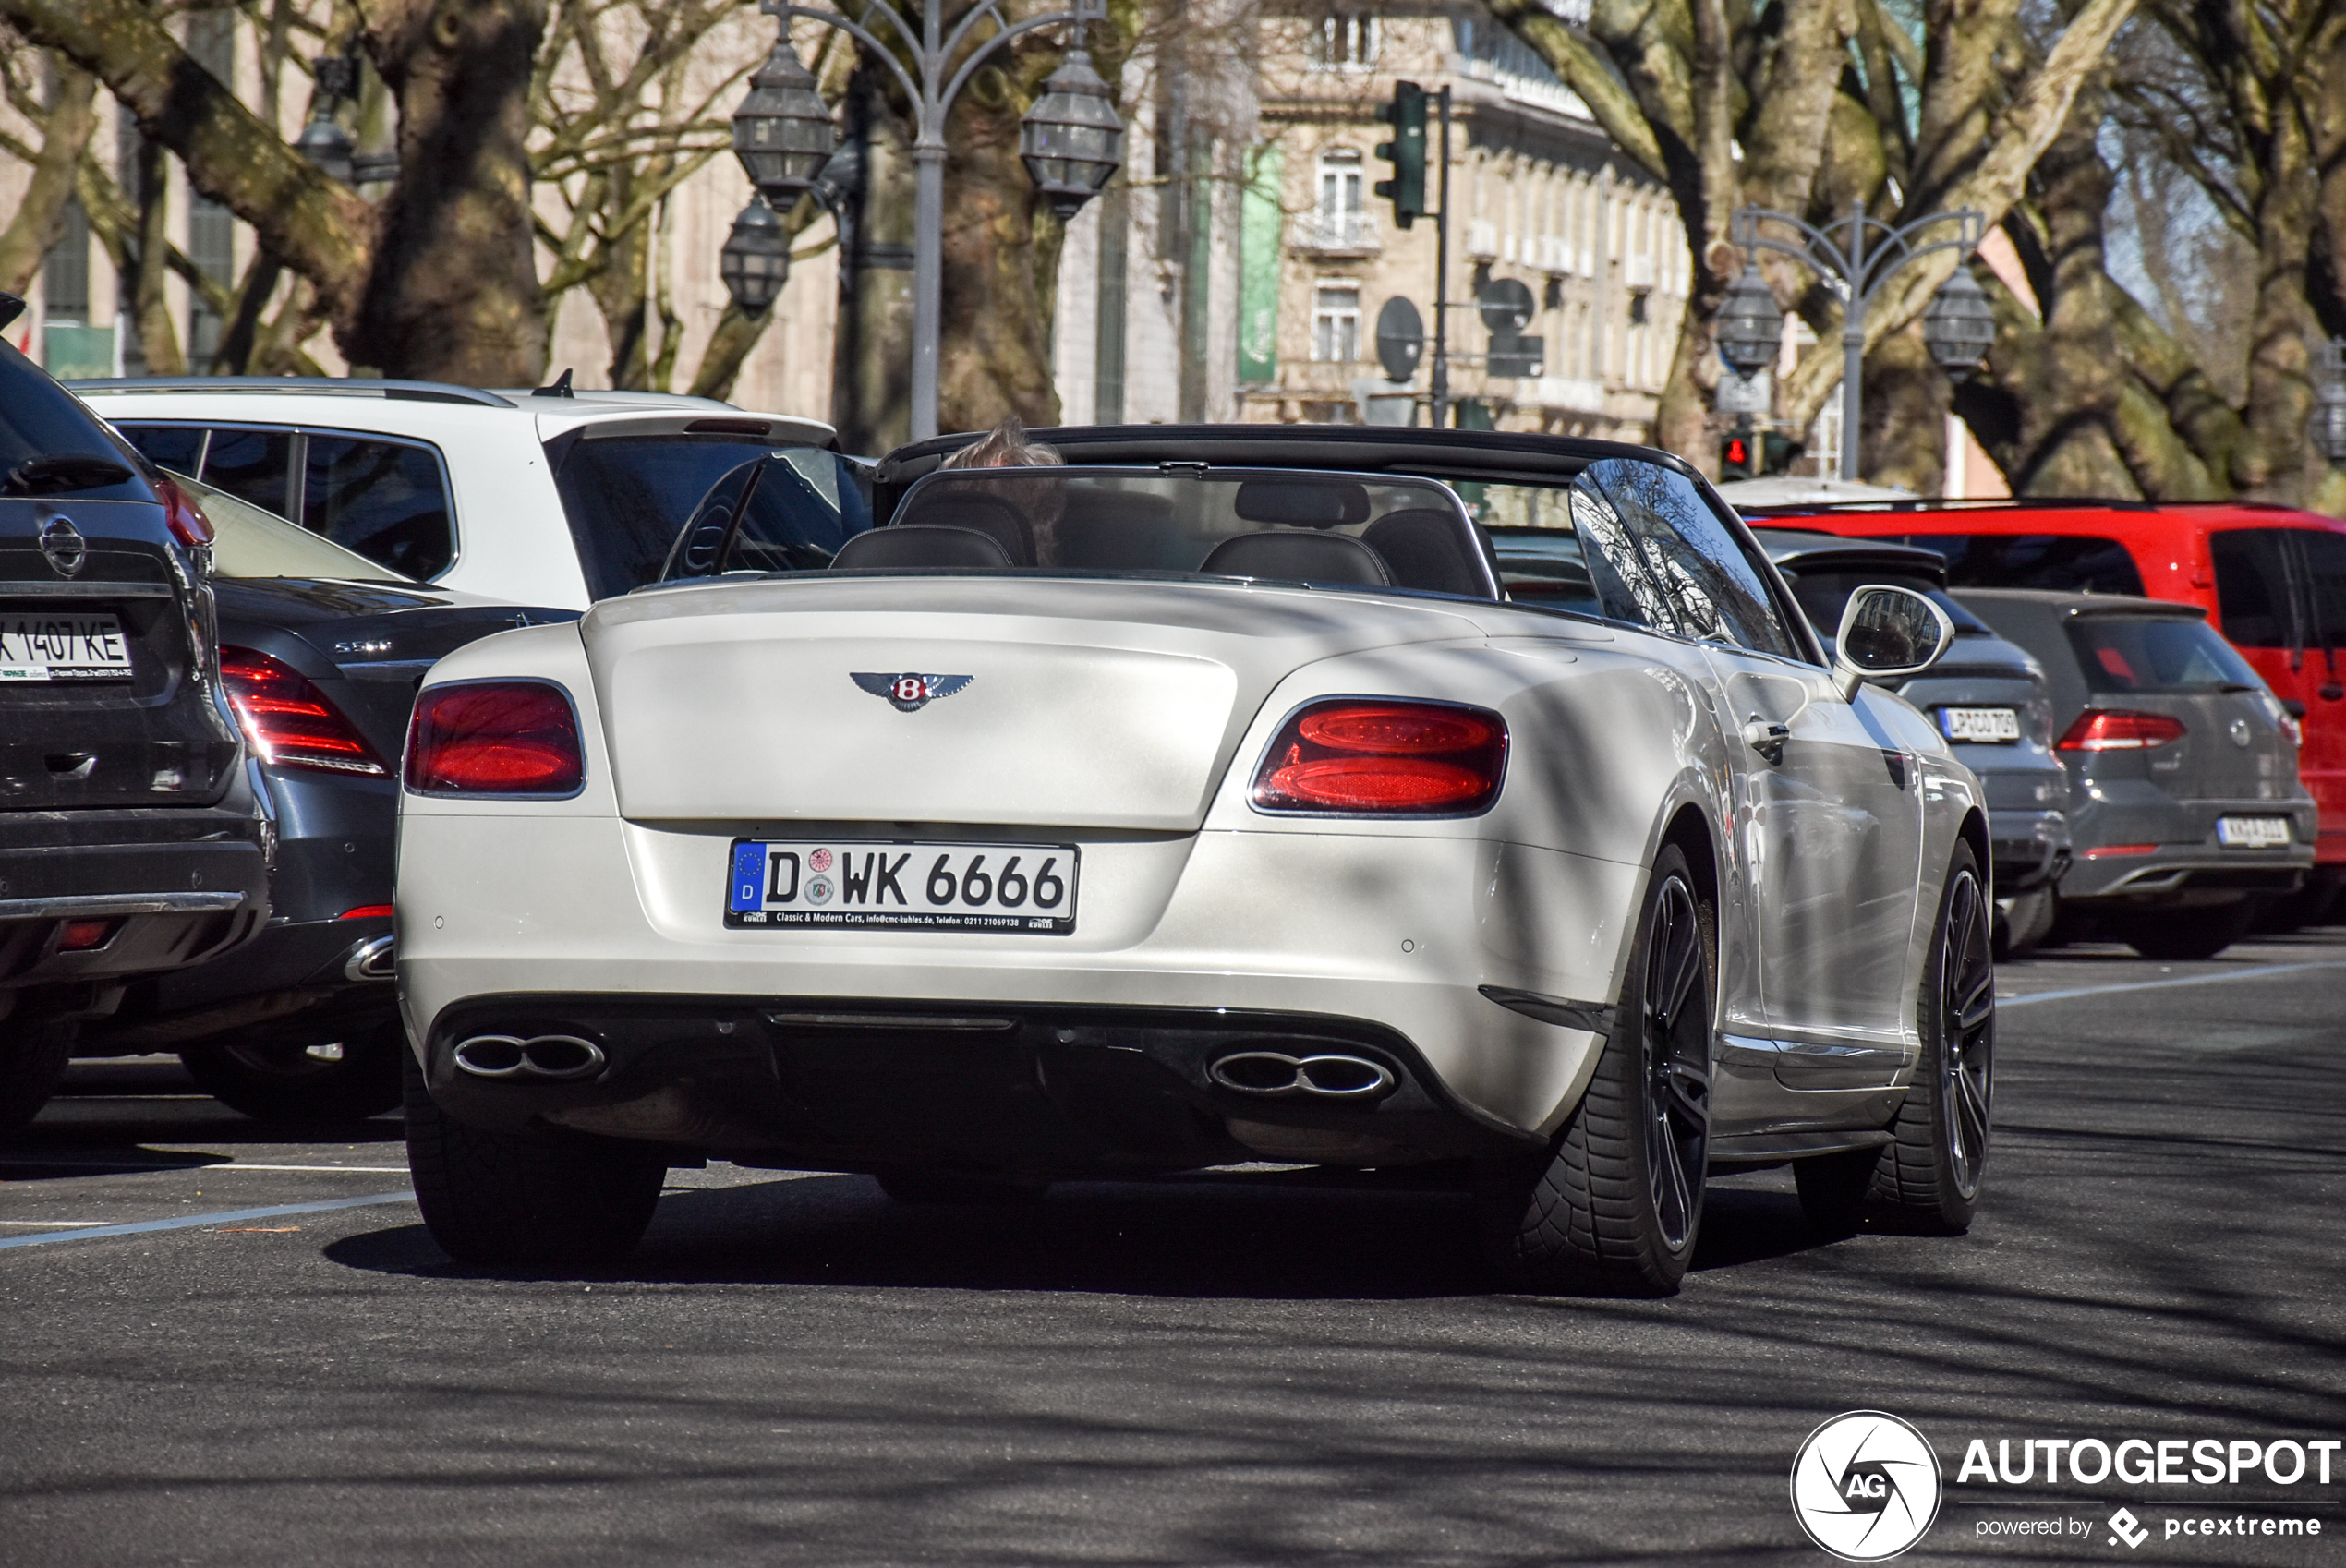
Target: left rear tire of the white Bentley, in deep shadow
[{"x": 503, "y": 1199}]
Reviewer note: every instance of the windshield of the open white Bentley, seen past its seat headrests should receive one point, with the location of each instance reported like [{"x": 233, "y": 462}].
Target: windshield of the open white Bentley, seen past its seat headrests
[{"x": 1360, "y": 531}]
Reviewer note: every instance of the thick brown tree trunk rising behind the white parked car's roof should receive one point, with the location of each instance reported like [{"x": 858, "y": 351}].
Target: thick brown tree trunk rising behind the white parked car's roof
[{"x": 454, "y": 285}]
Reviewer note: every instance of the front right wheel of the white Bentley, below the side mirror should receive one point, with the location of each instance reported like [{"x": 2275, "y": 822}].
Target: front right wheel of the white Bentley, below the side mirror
[{"x": 1927, "y": 1178}]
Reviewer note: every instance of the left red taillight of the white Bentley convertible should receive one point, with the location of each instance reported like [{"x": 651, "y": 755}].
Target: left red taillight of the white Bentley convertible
[{"x": 496, "y": 737}]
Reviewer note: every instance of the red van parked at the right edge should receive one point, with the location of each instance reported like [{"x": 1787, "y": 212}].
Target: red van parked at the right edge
[{"x": 2270, "y": 578}]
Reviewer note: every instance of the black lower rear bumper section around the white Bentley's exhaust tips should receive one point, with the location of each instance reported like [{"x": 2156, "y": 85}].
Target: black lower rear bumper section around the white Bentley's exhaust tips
[{"x": 1029, "y": 1091}]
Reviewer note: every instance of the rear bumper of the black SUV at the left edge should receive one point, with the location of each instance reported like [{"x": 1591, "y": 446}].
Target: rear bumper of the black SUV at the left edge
[{"x": 177, "y": 887}]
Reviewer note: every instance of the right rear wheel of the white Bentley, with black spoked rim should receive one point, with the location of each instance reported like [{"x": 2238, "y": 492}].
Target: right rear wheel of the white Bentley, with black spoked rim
[{"x": 1618, "y": 1204}]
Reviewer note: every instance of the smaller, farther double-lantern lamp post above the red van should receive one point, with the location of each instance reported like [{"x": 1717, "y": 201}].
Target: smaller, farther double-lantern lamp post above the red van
[{"x": 1859, "y": 264}]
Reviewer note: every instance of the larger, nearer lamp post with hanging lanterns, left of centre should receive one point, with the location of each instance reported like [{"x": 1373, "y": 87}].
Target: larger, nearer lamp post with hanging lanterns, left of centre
[{"x": 1071, "y": 142}]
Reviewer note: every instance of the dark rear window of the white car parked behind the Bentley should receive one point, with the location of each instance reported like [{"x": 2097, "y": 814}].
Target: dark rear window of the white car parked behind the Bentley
[{"x": 630, "y": 498}]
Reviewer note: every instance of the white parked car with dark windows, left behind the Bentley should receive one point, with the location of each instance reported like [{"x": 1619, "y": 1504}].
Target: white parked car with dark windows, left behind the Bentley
[{"x": 538, "y": 498}]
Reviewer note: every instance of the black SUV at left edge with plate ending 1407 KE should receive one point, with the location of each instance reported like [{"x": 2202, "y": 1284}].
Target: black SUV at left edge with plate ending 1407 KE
[{"x": 133, "y": 836}]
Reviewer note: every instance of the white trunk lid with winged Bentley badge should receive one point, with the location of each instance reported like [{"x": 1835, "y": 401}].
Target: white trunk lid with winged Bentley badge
[{"x": 1064, "y": 704}]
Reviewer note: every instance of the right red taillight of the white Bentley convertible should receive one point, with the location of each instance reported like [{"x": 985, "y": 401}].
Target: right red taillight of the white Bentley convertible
[{"x": 1371, "y": 758}]
